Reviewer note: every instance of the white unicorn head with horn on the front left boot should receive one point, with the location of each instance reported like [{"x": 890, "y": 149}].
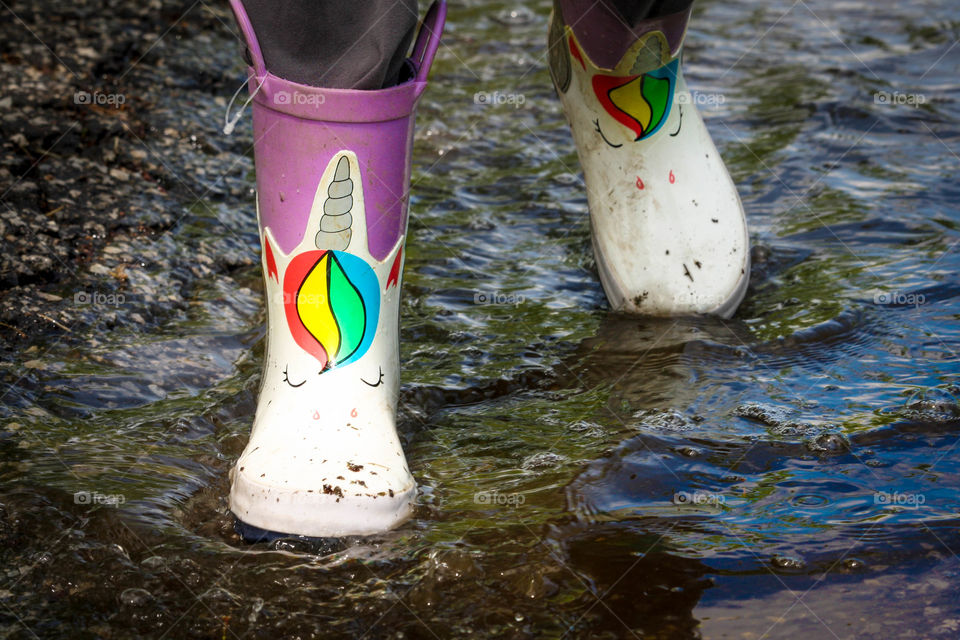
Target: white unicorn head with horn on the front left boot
[{"x": 323, "y": 458}]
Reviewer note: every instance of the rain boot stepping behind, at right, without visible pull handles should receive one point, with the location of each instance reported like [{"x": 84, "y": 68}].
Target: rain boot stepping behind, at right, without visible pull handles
[{"x": 669, "y": 233}]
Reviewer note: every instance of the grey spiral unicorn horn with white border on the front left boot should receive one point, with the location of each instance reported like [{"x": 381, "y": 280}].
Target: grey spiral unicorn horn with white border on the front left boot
[{"x": 337, "y": 218}]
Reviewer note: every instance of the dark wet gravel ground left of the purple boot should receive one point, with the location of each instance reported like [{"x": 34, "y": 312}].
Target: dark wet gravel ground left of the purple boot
[{"x": 114, "y": 166}]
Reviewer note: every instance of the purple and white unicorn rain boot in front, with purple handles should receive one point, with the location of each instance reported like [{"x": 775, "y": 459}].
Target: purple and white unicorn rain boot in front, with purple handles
[{"x": 333, "y": 177}]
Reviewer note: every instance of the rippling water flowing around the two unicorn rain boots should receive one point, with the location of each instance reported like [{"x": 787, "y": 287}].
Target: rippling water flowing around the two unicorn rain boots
[{"x": 791, "y": 472}]
